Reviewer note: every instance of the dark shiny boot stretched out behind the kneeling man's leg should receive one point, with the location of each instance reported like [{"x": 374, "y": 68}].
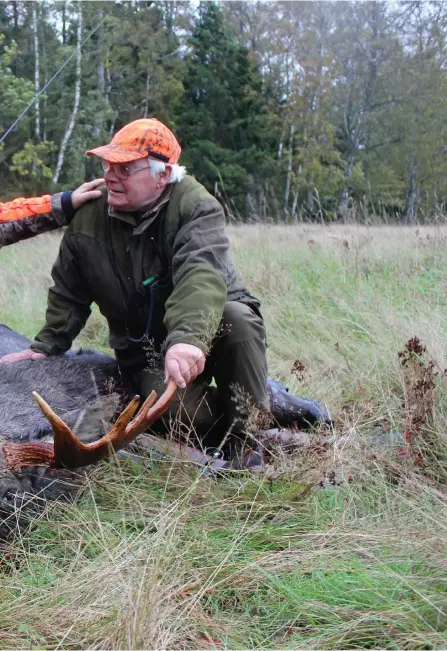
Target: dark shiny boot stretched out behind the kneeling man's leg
[{"x": 288, "y": 410}]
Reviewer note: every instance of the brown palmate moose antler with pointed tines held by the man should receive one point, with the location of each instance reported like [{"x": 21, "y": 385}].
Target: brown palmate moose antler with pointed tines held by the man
[{"x": 68, "y": 451}]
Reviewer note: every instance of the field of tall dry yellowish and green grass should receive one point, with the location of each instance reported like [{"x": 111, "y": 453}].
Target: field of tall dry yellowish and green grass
[{"x": 164, "y": 557}]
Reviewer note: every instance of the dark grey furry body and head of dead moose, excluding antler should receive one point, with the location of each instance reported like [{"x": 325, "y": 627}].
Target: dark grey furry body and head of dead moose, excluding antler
[{"x": 78, "y": 386}]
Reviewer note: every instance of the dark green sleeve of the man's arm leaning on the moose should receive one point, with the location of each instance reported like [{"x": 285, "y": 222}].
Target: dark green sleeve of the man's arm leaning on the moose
[{"x": 68, "y": 302}]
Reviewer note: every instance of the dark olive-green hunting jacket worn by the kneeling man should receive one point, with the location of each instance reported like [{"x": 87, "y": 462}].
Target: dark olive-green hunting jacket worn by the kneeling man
[{"x": 164, "y": 275}]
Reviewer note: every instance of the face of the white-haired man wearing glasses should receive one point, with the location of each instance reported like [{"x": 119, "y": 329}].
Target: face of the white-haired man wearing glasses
[{"x": 138, "y": 190}]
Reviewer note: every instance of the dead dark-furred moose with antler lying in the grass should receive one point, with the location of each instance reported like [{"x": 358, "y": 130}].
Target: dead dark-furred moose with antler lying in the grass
[{"x": 38, "y": 447}]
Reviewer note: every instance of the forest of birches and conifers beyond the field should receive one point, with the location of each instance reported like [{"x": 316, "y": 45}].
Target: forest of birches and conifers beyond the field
[{"x": 286, "y": 111}]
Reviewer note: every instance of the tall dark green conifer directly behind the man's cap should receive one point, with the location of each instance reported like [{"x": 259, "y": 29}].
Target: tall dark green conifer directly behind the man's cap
[{"x": 223, "y": 119}]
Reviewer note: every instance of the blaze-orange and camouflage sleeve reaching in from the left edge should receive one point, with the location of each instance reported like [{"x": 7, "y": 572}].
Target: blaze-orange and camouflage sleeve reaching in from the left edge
[{"x": 24, "y": 218}]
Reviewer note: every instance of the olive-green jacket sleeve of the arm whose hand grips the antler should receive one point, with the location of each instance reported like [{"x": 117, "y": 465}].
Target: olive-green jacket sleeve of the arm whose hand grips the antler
[{"x": 200, "y": 266}]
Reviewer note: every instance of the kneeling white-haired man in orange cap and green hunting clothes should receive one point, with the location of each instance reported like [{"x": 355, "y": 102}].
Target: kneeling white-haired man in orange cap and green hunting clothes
[{"x": 154, "y": 255}]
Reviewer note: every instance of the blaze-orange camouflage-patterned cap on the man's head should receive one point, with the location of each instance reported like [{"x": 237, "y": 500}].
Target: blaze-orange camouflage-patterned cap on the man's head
[{"x": 141, "y": 138}]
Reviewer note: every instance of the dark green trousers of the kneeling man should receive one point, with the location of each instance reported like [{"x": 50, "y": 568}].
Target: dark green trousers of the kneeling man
[{"x": 234, "y": 381}]
